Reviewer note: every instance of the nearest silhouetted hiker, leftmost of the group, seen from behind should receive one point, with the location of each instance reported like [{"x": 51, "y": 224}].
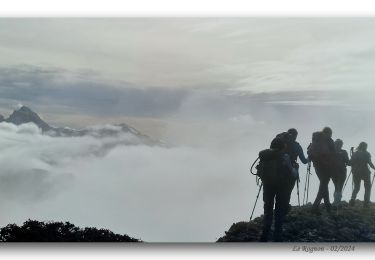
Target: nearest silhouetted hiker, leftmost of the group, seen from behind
[{"x": 275, "y": 170}]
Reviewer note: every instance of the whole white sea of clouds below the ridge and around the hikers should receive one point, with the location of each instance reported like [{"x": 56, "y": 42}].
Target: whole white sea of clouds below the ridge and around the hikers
[{"x": 178, "y": 193}]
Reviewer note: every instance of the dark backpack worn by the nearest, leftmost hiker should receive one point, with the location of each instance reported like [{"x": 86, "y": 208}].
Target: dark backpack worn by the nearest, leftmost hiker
[{"x": 270, "y": 168}]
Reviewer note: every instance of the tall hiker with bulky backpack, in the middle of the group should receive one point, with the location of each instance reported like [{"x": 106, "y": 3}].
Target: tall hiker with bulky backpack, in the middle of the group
[{"x": 322, "y": 153}]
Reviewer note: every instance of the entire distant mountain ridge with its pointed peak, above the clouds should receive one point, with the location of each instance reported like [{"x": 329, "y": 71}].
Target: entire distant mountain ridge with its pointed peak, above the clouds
[{"x": 25, "y": 115}]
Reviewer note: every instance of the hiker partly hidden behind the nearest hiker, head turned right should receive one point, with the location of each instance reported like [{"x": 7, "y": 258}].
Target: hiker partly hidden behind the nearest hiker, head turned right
[{"x": 294, "y": 150}]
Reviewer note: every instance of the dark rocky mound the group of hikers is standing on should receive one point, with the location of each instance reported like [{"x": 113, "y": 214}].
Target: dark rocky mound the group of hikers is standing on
[{"x": 344, "y": 224}]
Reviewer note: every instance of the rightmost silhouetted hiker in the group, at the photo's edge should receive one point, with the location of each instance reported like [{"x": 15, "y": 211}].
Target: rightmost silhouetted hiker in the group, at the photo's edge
[{"x": 360, "y": 161}]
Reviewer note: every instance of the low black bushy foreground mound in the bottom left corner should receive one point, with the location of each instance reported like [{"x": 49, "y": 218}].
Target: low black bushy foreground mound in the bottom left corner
[{"x": 36, "y": 231}]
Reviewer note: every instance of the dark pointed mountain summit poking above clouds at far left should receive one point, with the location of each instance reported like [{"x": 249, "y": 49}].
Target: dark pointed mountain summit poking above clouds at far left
[{"x": 25, "y": 115}]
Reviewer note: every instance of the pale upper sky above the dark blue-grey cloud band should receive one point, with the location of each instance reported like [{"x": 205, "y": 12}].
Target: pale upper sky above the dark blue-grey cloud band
[{"x": 248, "y": 53}]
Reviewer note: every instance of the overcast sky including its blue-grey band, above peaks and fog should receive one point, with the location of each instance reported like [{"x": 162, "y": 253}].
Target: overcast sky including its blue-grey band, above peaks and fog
[{"x": 111, "y": 66}]
